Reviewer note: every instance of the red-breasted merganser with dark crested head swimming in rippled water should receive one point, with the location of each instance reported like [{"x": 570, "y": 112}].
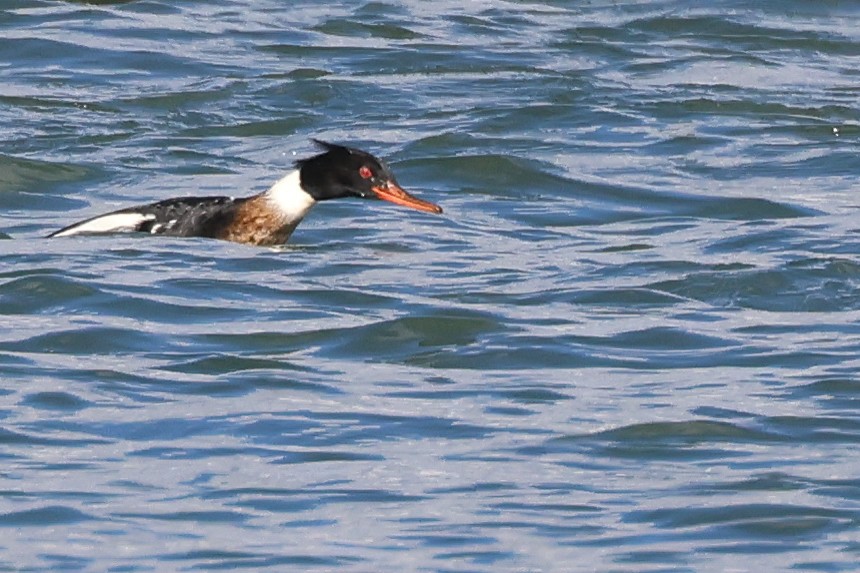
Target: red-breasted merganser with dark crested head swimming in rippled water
[{"x": 268, "y": 218}]
